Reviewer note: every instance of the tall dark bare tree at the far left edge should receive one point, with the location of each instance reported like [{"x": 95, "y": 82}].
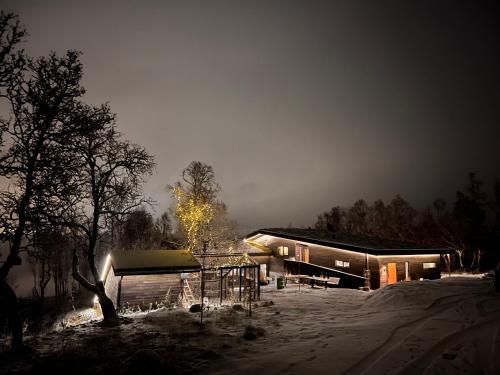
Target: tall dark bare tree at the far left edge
[{"x": 41, "y": 100}]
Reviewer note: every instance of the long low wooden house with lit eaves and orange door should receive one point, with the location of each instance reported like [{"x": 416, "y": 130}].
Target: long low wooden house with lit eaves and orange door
[{"x": 355, "y": 260}]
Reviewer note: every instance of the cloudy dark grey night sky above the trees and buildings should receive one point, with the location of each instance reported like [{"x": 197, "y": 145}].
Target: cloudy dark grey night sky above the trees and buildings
[{"x": 298, "y": 105}]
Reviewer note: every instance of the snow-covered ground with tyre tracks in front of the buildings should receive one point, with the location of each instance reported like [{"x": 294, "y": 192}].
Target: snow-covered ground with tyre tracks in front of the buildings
[{"x": 428, "y": 327}]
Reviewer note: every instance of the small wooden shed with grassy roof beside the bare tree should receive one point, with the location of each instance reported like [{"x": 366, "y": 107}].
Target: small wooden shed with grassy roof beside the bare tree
[{"x": 142, "y": 277}]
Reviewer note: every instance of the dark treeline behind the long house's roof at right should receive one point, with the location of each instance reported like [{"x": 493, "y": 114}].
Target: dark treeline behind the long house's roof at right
[{"x": 470, "y": 225}]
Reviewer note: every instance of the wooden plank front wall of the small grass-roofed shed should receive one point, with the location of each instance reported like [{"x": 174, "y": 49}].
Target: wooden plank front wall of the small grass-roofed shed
[{"x": 139, "y": 289}]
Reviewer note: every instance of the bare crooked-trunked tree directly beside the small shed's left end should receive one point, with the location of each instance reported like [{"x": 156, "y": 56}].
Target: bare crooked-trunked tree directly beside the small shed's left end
[{"x": 108, "y": 173}]
